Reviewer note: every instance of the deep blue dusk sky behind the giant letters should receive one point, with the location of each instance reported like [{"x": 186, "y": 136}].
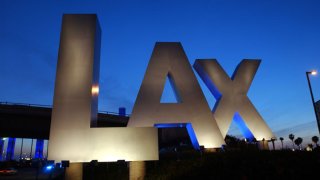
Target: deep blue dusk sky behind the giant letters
[{"x": 284, "y": 34}]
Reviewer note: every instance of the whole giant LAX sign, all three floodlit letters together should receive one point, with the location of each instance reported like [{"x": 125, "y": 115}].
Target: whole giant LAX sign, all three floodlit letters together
[{"x": 73, "y": 135}]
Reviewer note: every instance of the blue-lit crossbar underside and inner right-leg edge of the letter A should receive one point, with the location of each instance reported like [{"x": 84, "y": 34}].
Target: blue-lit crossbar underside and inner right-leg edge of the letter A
[{"x": 189, "y": 128}]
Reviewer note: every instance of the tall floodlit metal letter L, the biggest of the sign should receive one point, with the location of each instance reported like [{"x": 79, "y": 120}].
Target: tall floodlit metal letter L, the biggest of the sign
[{"x": 74, "y": 106}]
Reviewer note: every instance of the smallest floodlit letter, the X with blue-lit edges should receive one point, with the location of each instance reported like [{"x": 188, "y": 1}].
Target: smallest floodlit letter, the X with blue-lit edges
[{"x": 232, "y": 99}]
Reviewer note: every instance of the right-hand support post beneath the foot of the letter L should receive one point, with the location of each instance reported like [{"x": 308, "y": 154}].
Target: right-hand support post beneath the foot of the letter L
[{"x": 137, "y": 170}]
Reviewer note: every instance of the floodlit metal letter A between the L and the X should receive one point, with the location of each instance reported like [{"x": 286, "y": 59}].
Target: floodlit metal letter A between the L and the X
[{"x": 169, "y": 60}]
